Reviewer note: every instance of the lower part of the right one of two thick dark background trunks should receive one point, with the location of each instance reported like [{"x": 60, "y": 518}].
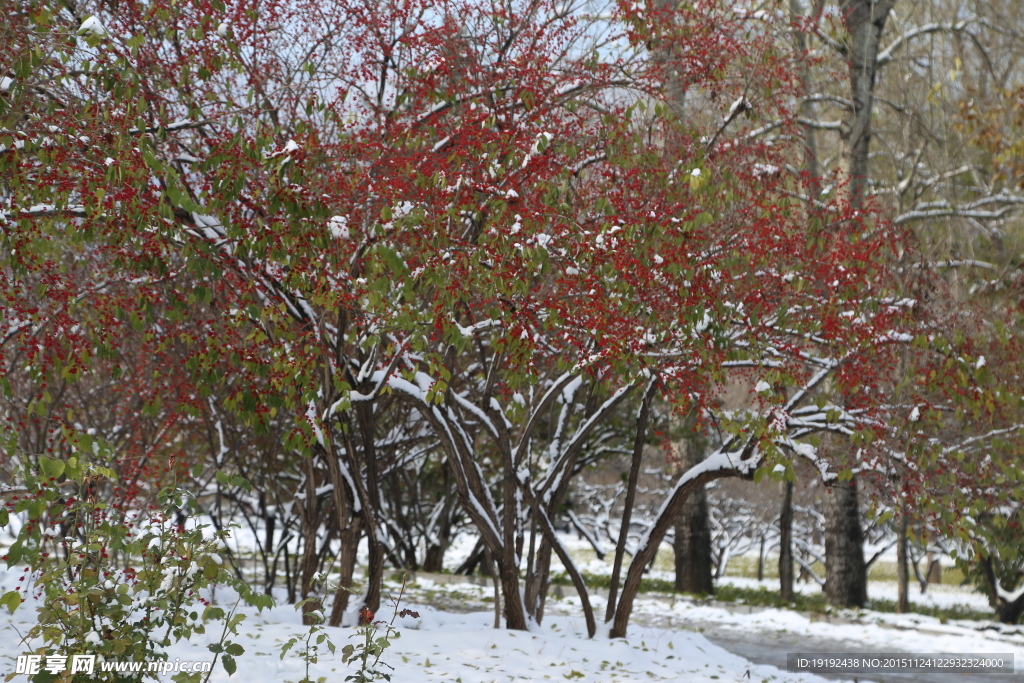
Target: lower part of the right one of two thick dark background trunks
[{"x": 846, "y": 574}]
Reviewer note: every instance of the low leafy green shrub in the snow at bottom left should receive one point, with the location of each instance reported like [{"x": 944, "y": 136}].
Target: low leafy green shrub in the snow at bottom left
[{"x": 94, "y": 601}]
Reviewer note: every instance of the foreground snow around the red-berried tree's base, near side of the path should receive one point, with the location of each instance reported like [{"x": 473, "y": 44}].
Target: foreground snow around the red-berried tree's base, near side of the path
[{"x": 450, "y": 648}]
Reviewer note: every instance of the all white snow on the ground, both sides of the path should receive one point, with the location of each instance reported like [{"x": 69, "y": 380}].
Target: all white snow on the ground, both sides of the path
[{"x": 454, "y": 641}]
